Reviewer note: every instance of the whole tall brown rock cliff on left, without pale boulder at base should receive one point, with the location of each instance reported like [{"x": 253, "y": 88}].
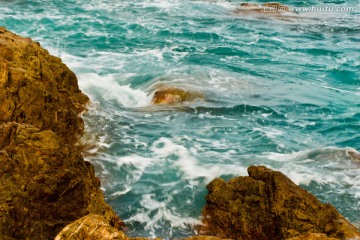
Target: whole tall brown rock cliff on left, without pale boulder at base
[{"x": 45, "y": 183}]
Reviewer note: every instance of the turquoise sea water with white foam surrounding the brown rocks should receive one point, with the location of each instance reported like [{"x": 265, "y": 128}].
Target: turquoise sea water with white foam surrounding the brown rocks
[{"x": 279, "y": 91}]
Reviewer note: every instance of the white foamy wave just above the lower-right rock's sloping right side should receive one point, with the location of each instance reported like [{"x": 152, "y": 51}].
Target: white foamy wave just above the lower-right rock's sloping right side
[{"x": 330, "y": 165}]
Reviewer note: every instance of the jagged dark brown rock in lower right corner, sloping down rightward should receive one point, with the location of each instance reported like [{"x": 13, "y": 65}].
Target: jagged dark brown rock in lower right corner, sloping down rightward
[{"x": 268, "y": 205}]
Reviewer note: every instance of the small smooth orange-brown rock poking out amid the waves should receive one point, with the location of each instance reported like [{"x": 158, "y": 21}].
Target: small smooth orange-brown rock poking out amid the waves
[{"x": 170, "y": 95}]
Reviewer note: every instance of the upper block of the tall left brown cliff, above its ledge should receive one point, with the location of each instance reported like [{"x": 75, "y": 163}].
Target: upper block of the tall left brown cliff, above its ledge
[{"x": 37, "y": 88}]
